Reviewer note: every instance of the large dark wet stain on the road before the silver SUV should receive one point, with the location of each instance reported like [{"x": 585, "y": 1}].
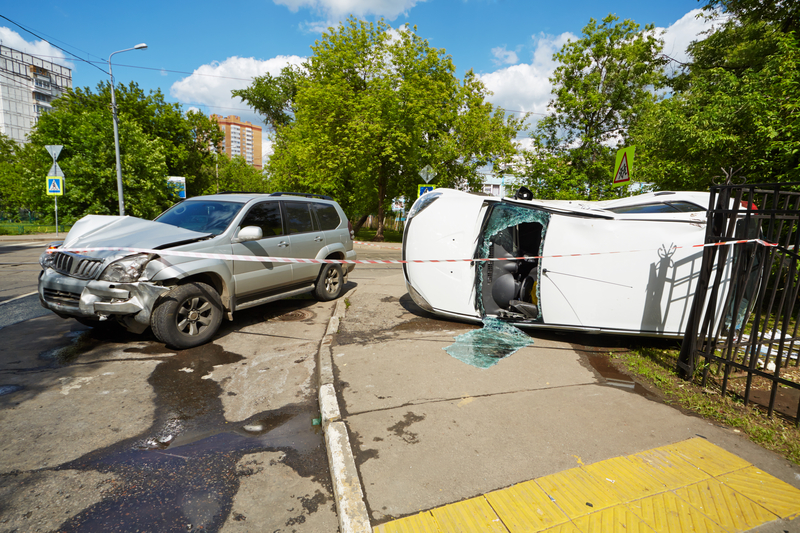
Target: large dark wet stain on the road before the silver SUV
[{"x": 182, "y": 473}]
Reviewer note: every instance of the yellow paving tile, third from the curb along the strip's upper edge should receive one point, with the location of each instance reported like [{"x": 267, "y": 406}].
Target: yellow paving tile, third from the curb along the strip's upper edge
[{"x": 525, "y": 508}]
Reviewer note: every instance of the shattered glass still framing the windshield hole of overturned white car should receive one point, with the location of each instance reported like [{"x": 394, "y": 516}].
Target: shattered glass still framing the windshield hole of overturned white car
[{"x": 502, "y": 217}]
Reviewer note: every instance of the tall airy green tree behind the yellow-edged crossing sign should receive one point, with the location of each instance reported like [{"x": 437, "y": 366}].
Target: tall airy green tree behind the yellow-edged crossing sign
[{"x": 603, "y": 84}]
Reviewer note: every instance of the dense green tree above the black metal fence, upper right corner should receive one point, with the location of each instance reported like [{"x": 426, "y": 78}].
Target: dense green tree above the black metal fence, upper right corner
[{"x": 735, "y": 105}]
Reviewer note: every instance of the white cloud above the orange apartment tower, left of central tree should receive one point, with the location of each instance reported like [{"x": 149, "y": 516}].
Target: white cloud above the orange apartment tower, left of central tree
[{"x": 211, "y": 85}]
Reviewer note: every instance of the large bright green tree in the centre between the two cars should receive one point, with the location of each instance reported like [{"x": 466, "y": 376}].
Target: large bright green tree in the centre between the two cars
[{"x": 368, "y": 110}]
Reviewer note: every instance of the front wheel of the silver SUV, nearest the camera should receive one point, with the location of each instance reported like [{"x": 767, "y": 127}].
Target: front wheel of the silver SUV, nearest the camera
[{"x": 187, "y": 316}]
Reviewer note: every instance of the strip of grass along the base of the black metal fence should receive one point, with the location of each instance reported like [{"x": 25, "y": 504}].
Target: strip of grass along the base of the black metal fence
[{"x": 656, "y": 366}]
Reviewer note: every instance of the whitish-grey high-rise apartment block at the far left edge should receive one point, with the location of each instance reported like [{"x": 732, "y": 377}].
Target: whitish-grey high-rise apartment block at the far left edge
[{"x": 28, "y": 84}]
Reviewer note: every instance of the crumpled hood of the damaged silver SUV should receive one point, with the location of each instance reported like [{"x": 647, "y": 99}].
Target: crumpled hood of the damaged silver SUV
[{"x": 97, "y": 231}]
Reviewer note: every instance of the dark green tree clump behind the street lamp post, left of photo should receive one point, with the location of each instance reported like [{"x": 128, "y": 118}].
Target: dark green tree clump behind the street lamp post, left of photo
[{"x": 156, "y": 141}]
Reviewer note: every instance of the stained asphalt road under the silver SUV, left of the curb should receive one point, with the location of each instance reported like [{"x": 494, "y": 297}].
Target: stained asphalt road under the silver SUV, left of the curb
[{"x": 105, "y": 430}]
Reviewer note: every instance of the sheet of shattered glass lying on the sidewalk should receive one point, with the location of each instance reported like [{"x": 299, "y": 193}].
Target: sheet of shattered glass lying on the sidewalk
[{"x": 485, "y": 347}]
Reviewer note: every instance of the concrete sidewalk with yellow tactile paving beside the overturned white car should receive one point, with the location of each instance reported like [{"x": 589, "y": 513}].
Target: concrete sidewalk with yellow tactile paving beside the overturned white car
[{"x": 435, "y": 436}]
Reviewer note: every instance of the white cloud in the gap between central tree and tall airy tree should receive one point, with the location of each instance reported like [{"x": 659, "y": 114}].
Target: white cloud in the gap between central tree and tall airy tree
[{"x": 526, "y": 87}]
